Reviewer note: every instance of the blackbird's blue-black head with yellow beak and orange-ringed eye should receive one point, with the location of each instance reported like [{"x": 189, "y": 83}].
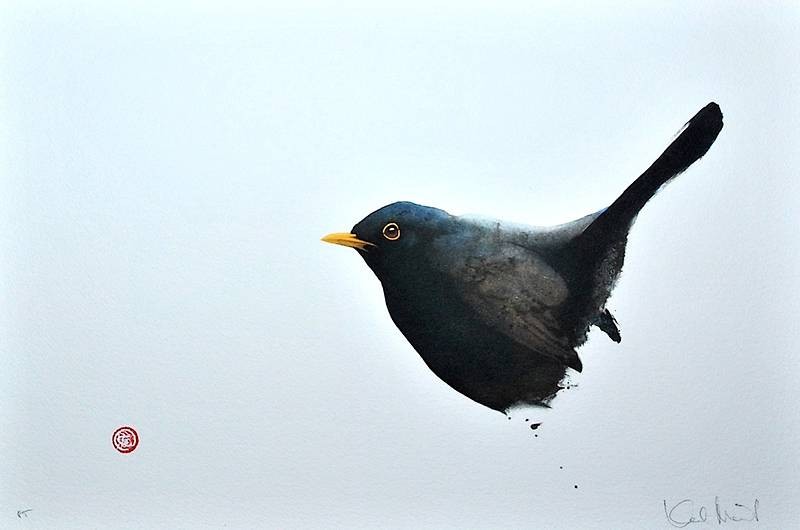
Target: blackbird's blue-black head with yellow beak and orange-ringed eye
[{"x": 395, "y": 238}]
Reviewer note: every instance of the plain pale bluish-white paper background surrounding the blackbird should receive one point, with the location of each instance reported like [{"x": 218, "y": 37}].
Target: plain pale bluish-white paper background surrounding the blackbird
[{"x": 167, "y": 173}]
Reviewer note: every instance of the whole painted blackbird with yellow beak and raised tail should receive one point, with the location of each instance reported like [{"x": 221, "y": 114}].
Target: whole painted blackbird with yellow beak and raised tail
[{"x": 495, "y": 309}]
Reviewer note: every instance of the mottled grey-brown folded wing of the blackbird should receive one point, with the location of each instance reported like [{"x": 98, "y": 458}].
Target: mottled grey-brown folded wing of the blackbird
[{"x": 514, "y": 291}]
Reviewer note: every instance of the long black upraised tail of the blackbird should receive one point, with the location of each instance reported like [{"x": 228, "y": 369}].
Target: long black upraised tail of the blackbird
[{"x": 693, "y": 142}]
